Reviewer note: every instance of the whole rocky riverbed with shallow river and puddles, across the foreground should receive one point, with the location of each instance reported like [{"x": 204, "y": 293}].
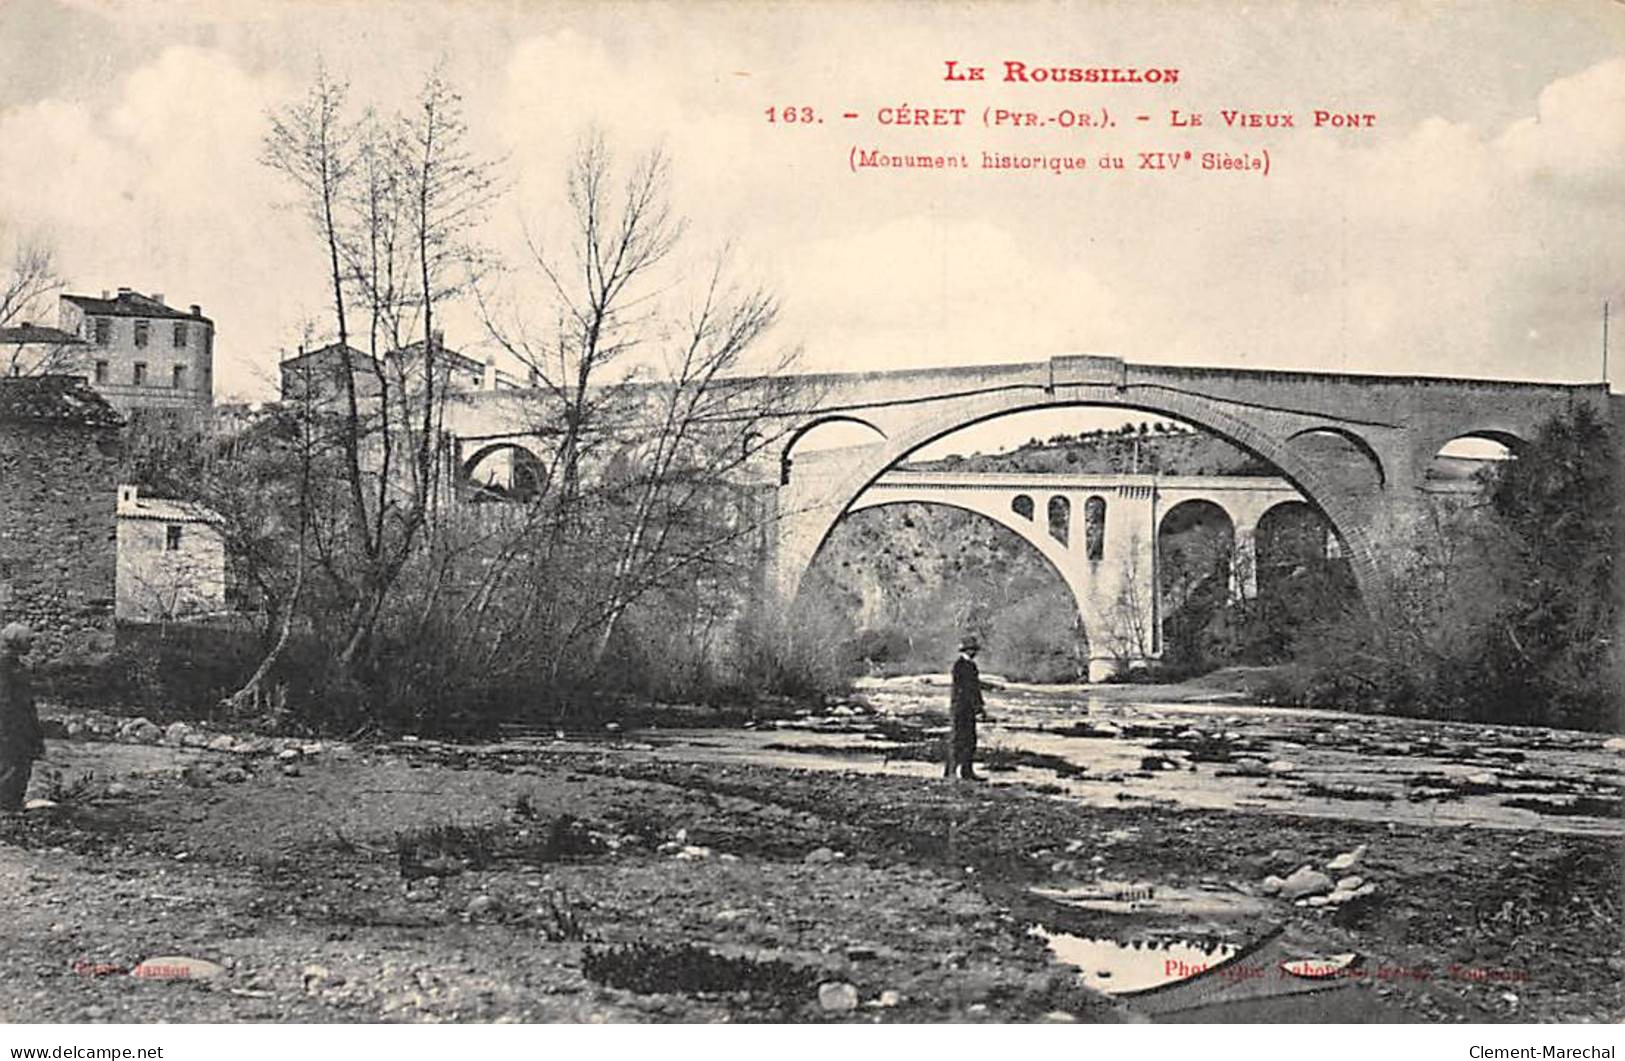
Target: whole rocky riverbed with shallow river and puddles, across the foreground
[{"x": 646, "y": 875}]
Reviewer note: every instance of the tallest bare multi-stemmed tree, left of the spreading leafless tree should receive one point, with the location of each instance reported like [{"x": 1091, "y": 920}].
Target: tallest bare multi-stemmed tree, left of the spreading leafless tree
[{"x": 396, "y": 204}]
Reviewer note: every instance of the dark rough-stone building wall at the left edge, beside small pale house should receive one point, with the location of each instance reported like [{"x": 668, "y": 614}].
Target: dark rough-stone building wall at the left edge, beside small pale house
[{"x": 59, "y": 467}]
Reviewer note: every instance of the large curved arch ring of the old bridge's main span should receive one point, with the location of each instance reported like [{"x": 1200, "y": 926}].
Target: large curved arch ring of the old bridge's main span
[{"x": 1343, "y": 511}]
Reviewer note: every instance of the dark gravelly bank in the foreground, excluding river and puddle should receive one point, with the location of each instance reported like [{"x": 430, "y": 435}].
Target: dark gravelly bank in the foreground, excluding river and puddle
[{"x": 433, "y": 883}]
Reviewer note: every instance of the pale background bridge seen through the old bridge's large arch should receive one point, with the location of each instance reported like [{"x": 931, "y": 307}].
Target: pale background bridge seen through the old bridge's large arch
[{"x": 1099, "y": 534}]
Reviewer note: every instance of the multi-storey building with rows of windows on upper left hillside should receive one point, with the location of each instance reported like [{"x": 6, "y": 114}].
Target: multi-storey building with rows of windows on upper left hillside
[{"x": 139, "y": 352}]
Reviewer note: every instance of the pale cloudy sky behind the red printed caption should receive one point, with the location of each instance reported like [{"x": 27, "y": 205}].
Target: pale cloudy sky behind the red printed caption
[{"x": 1476, "y": 230}]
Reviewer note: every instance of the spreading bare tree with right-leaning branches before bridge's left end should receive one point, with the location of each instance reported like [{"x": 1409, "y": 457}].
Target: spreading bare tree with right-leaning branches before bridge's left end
[{"x": 648, "y": 402}]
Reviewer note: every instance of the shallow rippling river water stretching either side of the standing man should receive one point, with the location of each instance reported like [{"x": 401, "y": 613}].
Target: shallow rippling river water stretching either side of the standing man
[{"x": 1112, "y": 748}]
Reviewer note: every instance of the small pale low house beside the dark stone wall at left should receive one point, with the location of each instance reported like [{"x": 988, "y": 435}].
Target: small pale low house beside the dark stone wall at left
[{"x": 171, "y": 560}]
